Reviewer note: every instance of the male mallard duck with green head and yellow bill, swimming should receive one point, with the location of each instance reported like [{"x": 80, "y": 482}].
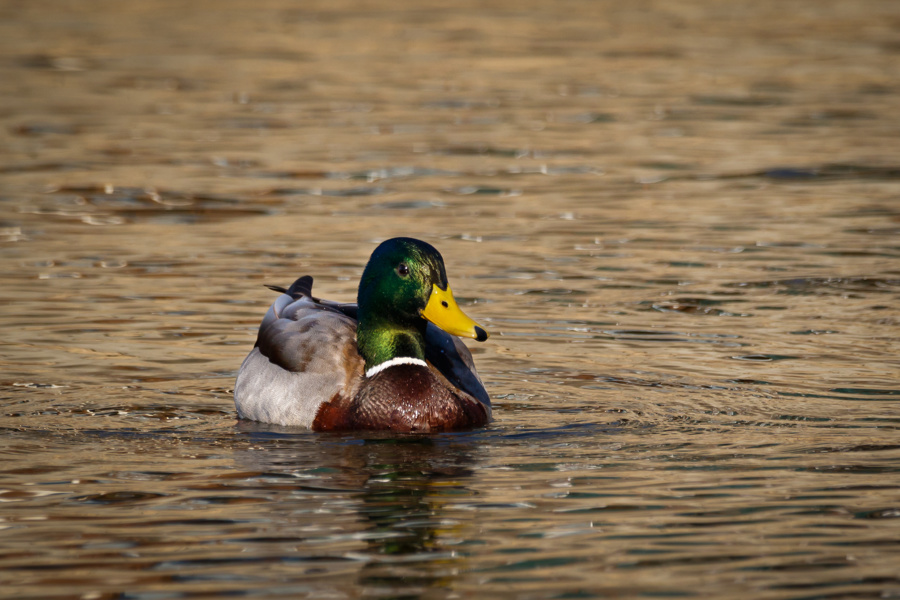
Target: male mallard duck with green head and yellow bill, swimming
[{"x": 392, "y": 361}]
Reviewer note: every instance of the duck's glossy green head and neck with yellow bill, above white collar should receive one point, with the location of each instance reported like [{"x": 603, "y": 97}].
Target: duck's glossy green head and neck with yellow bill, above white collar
[{"x": 404, "y": 284}]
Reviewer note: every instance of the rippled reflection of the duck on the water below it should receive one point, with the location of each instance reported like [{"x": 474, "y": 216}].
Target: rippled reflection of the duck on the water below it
[{"x": 380, "y": 503}]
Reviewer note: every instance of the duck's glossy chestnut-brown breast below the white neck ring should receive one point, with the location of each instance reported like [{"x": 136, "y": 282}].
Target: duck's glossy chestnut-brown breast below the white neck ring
[{"x": 404, "y": 398}]
